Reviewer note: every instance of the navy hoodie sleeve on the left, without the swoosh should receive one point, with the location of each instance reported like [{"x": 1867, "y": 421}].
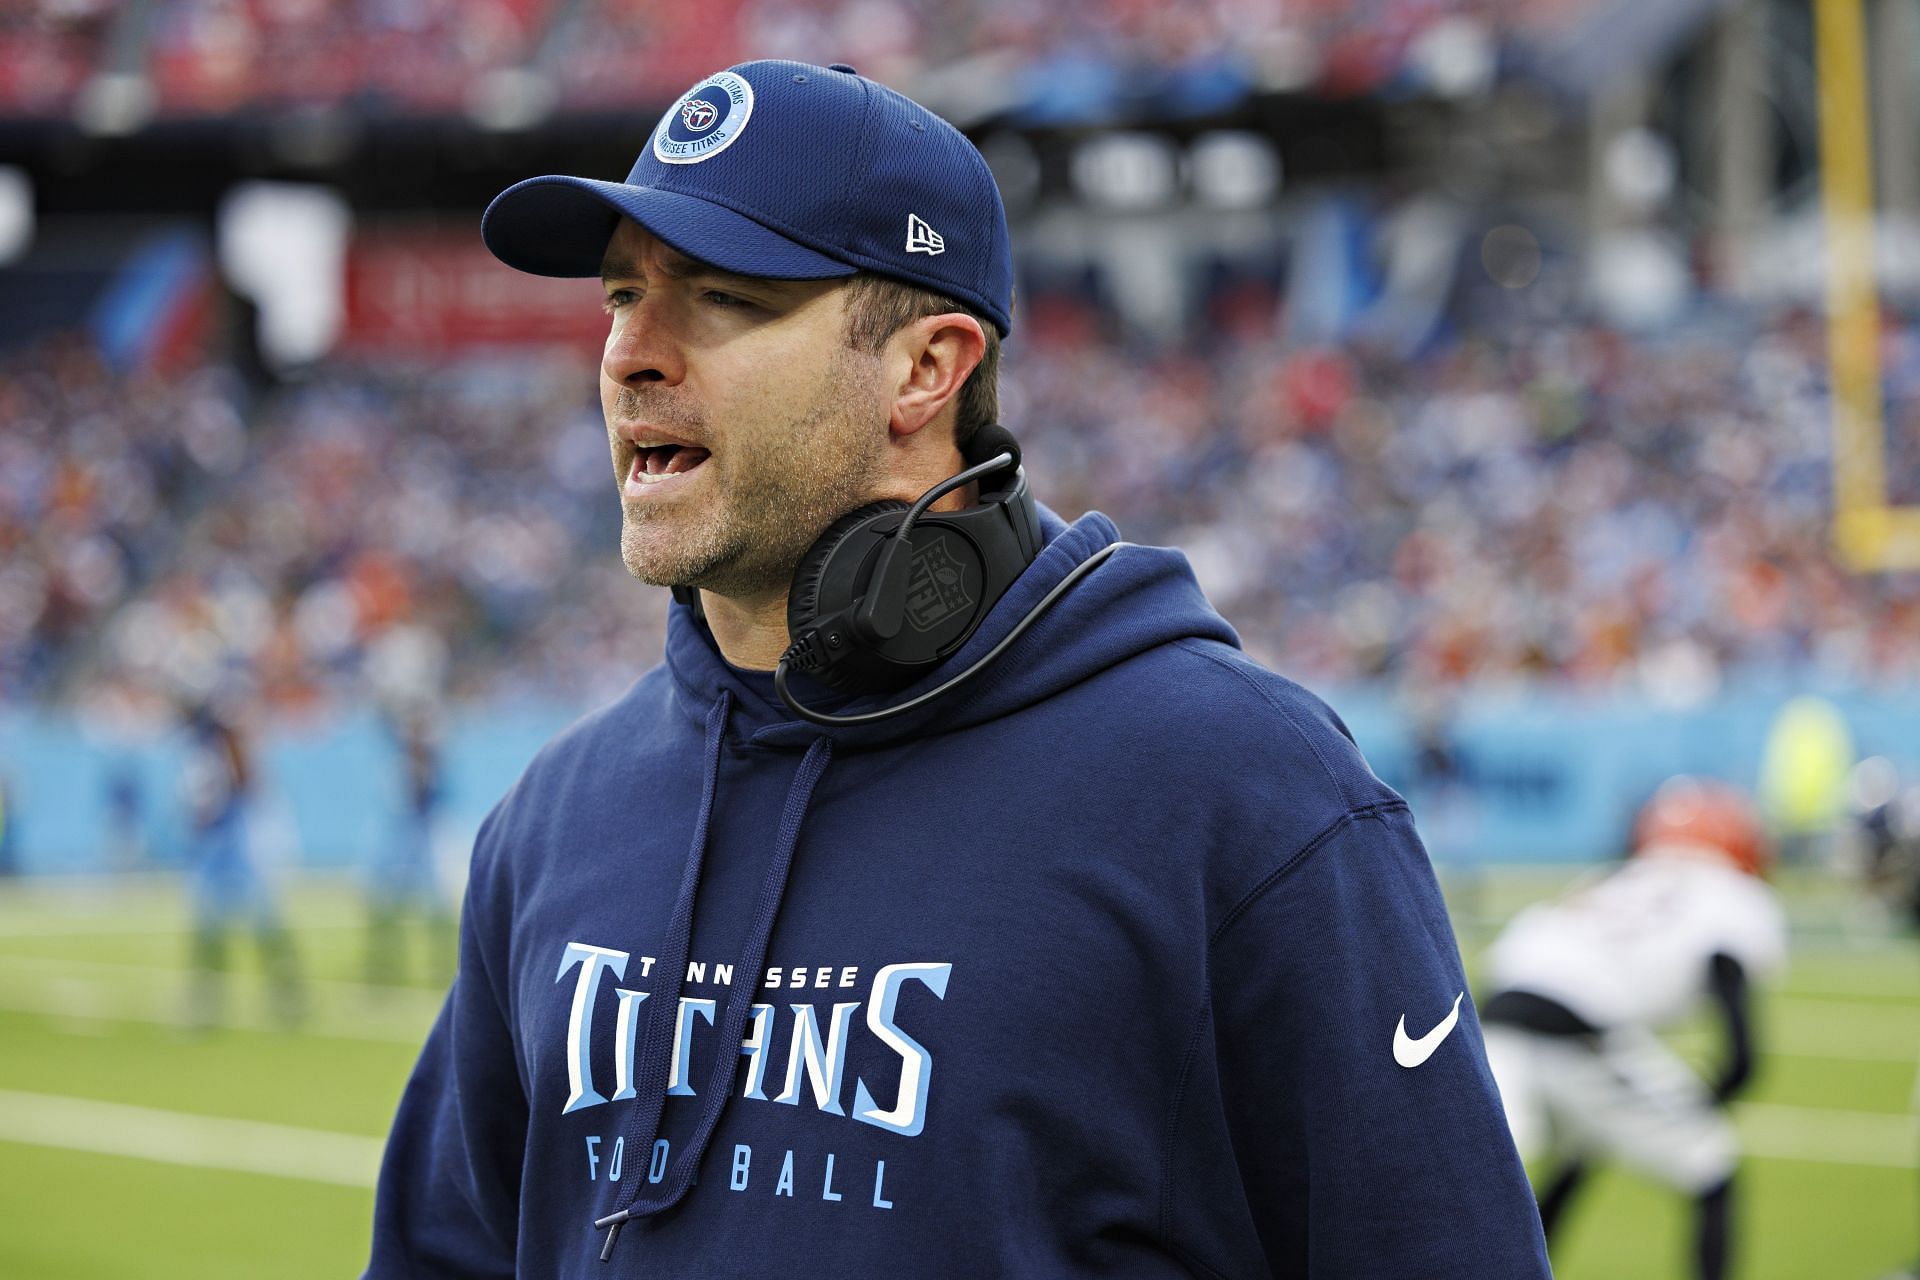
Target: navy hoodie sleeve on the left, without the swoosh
[{"x": 450, "y": 1185}]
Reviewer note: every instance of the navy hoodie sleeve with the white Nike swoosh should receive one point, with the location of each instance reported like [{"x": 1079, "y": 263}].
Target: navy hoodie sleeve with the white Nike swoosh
[{"x": 1355, "y": 1081}]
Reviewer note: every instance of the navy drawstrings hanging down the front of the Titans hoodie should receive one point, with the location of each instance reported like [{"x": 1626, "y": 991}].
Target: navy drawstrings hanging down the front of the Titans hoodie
[{"x": 650, "y": 1087}]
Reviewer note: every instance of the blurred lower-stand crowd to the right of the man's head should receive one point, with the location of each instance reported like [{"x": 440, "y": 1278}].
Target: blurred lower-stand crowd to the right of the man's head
[{"x": 1568, "y": 504}]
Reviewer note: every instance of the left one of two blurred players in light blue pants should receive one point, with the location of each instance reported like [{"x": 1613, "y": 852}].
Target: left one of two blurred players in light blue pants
[{"x": 228, "y": 889}]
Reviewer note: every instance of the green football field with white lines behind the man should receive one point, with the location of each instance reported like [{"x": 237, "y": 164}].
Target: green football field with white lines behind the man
[{"x": 137, "y": 1149}]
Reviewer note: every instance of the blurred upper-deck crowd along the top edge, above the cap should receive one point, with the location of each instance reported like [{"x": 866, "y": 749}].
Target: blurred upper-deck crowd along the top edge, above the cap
[{"x": 216, "y": 57}]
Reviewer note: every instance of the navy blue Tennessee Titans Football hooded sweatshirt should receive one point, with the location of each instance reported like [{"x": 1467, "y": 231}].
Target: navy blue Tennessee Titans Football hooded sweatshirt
[{"x": 1107, "y": 964}]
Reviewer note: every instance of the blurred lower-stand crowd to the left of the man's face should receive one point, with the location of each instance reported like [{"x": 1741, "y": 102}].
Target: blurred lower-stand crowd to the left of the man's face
[{"x": 395, "y": 538}]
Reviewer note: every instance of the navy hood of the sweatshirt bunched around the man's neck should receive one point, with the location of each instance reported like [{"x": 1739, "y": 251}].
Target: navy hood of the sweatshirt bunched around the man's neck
[{"x": 1140, "y": 600}]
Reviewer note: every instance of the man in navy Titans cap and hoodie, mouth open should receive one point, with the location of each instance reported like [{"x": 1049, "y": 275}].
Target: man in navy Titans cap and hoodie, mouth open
[{"x": 1111, "y": 960}]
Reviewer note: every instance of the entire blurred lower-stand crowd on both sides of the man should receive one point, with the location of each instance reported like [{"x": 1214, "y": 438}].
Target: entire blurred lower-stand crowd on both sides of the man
[{"x": 1568, "y": 506}]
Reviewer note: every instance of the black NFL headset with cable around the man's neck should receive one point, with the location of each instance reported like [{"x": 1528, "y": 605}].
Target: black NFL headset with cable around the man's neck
[{"x": 894, "y": 590}]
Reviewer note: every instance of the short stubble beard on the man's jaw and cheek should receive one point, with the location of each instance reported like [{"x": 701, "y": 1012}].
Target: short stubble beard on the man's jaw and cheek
[{"x": 780, "y": 490}]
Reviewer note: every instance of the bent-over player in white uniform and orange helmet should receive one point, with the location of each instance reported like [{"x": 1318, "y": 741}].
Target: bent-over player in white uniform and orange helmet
[{"x": 1585, "y": 984}]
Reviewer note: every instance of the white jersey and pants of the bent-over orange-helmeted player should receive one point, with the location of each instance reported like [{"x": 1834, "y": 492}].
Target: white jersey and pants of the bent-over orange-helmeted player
[{"x": 1629, "y": 955}]
